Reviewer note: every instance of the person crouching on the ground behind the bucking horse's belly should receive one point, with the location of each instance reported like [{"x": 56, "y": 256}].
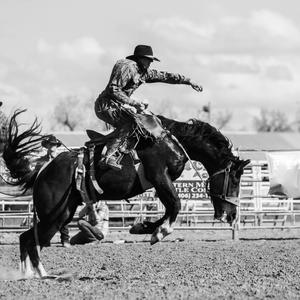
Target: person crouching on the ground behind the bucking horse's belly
[{"x": 92, "y": 223}]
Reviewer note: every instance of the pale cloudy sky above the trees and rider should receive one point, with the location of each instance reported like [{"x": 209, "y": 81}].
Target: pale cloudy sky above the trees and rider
[{"x": 245, "y": 54}]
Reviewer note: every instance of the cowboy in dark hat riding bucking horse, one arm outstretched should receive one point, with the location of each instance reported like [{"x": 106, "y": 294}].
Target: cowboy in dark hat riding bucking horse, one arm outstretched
[{"x": 114, "y": 105}]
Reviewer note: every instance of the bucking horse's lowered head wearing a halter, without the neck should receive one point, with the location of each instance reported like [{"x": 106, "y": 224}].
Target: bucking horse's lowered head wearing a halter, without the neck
[{"x": 224, "y": 189}]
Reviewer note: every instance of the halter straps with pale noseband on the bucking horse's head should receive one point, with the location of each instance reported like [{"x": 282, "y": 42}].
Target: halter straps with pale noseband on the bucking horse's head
[{"x": 232, "y": 200}]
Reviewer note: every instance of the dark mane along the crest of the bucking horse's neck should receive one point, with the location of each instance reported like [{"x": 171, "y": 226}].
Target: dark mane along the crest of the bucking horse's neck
[{"x": 194, "y": 129}]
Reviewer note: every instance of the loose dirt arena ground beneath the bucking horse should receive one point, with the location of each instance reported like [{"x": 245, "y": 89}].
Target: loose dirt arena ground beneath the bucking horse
[{"x": 187, "y": 265}]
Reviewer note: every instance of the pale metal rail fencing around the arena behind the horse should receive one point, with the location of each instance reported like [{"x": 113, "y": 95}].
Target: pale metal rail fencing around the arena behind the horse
[{"x": 257, "y": 209}]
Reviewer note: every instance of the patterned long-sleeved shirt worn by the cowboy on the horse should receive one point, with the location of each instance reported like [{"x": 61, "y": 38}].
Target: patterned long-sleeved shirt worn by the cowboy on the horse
[{"x": 126, "y": 77}]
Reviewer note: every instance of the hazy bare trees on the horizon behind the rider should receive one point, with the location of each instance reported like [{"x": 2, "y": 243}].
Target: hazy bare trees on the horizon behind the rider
[{"x": 72, "y": 114}]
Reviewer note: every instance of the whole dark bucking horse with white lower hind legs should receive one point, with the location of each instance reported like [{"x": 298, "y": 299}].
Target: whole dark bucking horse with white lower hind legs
[{"x": 56, "y": 197}]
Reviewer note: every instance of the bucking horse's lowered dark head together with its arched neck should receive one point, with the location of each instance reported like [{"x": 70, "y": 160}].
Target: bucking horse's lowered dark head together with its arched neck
[{"x": 206, "y": 144}]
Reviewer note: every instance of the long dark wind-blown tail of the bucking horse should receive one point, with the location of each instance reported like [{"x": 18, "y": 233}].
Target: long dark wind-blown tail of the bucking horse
[{"x": 18, "y": 148}]
